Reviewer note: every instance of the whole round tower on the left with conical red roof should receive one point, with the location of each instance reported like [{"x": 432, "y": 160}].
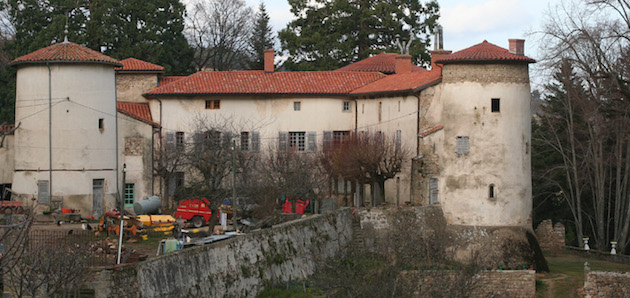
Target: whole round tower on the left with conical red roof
[{"x": 66, "y": 112}]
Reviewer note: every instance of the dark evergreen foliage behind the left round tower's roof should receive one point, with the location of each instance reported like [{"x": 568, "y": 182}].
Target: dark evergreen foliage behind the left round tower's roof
[{"x": 147, "y": 30}]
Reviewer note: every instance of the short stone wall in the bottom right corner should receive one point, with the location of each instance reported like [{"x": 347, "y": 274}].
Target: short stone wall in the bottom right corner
[{"x": 606, "y": 284}]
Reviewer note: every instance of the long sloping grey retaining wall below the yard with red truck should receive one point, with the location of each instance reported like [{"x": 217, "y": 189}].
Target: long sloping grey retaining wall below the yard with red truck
[{"x": 238, "y": 267}]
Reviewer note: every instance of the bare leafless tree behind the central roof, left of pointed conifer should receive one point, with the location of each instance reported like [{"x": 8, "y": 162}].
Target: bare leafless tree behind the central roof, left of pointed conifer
[{"x": 219, "y": 32}]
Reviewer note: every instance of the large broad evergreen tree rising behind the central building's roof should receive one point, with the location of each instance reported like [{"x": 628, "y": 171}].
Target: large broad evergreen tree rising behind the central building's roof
[{"x": 328, "y": 34}]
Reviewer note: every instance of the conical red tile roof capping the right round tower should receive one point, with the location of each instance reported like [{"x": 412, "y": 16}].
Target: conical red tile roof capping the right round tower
[{"x": 484, "y": 52}]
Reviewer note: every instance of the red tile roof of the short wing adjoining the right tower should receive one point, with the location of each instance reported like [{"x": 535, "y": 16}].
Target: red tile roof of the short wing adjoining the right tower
[{"x": 401, "y": 83}]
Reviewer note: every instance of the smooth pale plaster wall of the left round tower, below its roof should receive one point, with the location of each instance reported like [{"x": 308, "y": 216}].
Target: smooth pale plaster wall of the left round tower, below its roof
[{"x": 81, "y": 151}]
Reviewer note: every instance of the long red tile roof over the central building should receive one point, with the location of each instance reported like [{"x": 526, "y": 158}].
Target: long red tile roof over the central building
[{"x": 259, "y": 82}]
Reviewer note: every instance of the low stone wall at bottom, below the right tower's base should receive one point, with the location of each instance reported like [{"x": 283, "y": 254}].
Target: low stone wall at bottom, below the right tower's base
[{"x": 445, "y": 283}]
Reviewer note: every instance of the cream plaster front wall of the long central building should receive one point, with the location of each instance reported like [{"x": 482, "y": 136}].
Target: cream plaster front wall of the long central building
[{"x": 268, "y": 115}]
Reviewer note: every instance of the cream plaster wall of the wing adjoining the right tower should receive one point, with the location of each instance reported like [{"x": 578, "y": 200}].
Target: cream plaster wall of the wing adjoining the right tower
[{"x": 397, "y": 113}]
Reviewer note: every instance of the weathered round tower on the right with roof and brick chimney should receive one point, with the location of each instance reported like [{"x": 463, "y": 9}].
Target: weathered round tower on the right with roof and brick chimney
[{"x": 485, "y": 177}]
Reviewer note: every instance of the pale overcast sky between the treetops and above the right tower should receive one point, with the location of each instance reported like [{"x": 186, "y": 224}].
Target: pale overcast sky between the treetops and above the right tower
[{"x": 465, "y": 22}]
